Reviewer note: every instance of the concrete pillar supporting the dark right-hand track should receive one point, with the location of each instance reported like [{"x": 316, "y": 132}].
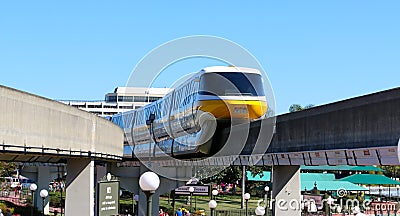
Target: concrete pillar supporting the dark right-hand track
[{"x": 286, "y": 190}]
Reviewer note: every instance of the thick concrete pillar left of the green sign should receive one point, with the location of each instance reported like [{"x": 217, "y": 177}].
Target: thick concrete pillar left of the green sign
[{"x": 80, "y": 187}]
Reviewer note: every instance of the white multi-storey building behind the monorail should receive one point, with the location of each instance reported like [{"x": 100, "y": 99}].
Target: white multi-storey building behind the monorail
[{"x": 121, "y": 100}]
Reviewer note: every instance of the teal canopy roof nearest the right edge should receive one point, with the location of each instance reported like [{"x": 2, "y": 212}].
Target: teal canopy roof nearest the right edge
[{"x": 368, "y": 179}]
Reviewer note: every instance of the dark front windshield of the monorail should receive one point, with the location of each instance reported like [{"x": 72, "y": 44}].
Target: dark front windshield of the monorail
[{"x": 231, "y": 84}]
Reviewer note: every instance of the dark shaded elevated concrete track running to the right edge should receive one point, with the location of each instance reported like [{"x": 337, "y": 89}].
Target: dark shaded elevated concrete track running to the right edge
[{"x": 359, "y": 131}]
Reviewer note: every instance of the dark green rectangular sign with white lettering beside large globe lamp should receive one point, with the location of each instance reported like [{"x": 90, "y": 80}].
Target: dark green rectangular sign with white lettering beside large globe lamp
[{"x": 108, "y": 198}]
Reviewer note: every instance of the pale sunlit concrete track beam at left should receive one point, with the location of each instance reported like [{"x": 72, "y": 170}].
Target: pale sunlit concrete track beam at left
[{"x": 35, "y": 125}]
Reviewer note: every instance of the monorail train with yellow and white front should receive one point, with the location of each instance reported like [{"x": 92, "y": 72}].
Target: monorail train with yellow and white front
[{"x": 184, "y": 122}]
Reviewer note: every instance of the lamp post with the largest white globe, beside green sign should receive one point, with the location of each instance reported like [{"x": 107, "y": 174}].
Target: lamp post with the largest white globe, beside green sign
[{"x": 149, "y": 182}]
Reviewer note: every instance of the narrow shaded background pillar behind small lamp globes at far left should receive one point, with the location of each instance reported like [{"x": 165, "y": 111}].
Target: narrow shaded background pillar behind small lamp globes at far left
[{"x": 43, "y": 180}]
